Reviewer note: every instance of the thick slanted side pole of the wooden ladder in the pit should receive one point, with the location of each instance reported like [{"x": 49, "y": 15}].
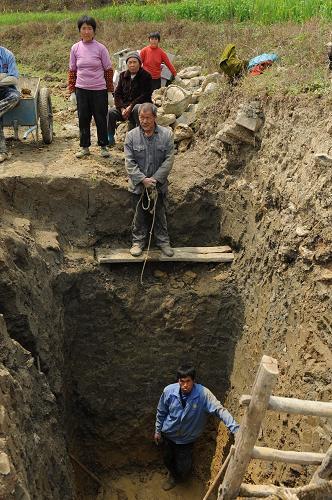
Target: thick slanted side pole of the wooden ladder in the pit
[{"x": 249, "y": 429}]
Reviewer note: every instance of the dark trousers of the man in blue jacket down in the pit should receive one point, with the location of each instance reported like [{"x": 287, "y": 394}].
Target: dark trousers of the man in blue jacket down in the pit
[{"x": 178, "y": 458}]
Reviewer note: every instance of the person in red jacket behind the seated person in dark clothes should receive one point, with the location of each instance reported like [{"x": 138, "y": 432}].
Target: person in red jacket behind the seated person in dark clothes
[{"x": 152, "y": 57}]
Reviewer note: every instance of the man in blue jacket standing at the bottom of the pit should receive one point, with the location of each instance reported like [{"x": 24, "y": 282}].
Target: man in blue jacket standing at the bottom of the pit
[{"x": 181, "y": 415}]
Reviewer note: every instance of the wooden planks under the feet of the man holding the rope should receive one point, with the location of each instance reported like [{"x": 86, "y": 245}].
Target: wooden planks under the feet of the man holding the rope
[{"x": 180, "y": 255}]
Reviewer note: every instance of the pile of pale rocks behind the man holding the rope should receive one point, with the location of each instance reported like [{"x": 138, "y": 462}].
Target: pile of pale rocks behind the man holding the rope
[{"x": 177, "y": 104}]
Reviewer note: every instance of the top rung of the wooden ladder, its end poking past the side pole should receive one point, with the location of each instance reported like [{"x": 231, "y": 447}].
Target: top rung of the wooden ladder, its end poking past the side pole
[{"x": 293, "y": 405}]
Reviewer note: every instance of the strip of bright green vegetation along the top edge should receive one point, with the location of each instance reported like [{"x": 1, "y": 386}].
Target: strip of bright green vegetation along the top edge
[{"x": 258, "y": 11}]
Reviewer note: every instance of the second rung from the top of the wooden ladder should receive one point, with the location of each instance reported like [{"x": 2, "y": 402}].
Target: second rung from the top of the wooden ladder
[{"x": 289, "y": 457}]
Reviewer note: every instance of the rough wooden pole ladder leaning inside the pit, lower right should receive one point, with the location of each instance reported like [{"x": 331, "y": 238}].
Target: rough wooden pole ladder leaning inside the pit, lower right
[{"x": 244, "y": 450}]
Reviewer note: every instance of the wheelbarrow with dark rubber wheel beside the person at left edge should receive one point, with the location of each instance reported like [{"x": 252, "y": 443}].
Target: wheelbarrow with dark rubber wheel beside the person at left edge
[{"x": 34, "y": 110}]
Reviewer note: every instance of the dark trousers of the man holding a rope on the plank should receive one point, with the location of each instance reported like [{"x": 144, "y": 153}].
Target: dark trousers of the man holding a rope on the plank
[{"x": 143, "y": 220}]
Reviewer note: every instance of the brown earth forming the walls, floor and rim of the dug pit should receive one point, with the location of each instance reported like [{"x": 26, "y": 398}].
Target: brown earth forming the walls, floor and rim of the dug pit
[{"x": 89, "y": 350}]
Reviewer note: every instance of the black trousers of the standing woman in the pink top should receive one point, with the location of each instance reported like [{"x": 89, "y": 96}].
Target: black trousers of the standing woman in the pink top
[{"x": 92, "y": 103}]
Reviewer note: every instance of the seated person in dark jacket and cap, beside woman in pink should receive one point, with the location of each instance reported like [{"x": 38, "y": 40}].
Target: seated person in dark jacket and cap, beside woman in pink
[{"x": 134, "y": 88}]
